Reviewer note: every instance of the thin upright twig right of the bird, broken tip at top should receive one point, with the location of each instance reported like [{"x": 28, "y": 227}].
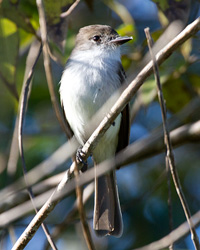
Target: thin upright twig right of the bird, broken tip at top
[{"x": 170, "y": 156}]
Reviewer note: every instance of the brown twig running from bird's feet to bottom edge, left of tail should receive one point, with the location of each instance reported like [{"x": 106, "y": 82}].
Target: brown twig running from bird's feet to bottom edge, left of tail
[{"x": 85, "y": 227}]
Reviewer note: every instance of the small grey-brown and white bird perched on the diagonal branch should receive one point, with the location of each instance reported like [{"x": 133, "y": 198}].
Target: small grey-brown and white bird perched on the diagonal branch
[{"x": 92, "y": 75}]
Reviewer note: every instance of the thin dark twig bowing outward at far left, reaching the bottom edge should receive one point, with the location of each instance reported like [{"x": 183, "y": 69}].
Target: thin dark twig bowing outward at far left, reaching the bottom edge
[{"x": 23, "y": 106}]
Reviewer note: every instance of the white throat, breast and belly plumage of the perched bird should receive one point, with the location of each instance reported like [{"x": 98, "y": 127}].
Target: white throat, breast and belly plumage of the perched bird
[{"x": 88, "y": 82}]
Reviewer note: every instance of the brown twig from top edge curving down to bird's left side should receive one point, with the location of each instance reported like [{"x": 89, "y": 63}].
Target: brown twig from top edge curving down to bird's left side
[{"x": 47, "y": 66}]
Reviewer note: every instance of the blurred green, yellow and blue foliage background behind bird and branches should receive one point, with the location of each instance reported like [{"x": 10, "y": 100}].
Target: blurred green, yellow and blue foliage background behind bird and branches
[{"x": 142, "y": 187}]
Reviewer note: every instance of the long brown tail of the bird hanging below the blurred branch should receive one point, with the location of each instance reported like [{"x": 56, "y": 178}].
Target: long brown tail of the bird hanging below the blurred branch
[{"x": 107, "y": 211}]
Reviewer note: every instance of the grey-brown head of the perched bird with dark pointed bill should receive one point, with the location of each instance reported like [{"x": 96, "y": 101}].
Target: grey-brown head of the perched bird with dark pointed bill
[{"x": 99, "y": 36}]
